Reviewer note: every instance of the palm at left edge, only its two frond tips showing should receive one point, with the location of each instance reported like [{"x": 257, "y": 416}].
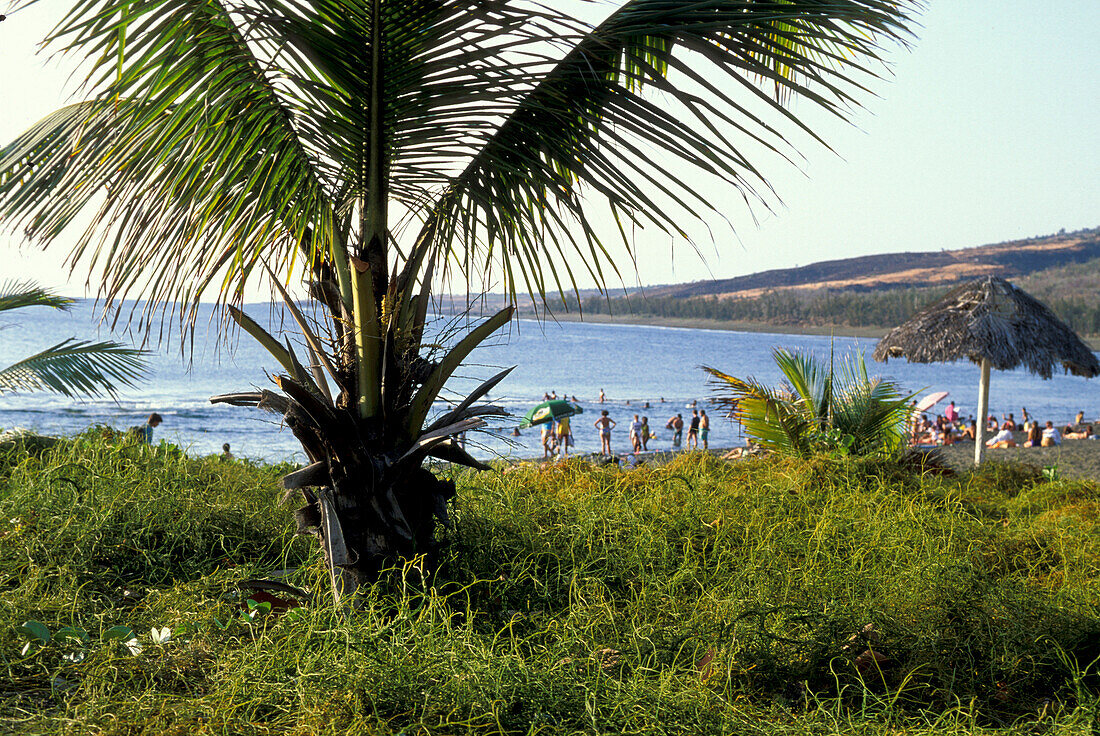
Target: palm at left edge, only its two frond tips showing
[{"x": 72, "y": 368}]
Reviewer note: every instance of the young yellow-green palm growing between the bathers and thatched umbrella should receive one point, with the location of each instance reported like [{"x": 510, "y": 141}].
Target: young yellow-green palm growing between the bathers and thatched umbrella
[{"x": 819, "y": 410}]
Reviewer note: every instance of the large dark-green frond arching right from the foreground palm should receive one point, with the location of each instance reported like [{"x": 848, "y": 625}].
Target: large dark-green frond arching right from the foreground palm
[{"x": 590, "y": 131}]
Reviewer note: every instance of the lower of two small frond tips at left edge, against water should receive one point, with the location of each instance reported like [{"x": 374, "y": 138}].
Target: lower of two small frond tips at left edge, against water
[{"x": 76, "y": 368}]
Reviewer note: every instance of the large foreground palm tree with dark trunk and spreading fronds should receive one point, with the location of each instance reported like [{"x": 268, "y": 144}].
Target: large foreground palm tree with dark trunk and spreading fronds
[{"x": 371, "y": 149}]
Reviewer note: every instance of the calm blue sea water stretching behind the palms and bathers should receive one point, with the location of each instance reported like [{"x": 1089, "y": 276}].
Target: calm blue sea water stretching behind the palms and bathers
[{"x": 632, "y": 365}]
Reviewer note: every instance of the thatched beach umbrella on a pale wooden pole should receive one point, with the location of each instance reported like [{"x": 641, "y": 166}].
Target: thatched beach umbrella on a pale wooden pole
[{"x": 994, "y": 324}]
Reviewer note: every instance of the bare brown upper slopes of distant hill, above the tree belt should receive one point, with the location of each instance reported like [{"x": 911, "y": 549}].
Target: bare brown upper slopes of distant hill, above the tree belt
[{"x": 892, "y": 271}]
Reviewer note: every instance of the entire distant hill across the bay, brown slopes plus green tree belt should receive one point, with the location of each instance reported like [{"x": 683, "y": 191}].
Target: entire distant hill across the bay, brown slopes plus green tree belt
[{"x": 871, "y": 294}]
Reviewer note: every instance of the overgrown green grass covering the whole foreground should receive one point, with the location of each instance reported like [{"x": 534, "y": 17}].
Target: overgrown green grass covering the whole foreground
[{"x": 701, "y": 597}]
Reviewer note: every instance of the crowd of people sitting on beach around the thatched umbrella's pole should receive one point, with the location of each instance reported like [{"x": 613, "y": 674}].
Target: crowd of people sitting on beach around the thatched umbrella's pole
[{"x": 951, "y": 427}]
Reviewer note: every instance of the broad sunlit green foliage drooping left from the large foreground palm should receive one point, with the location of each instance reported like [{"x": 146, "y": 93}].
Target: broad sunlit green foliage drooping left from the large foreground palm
[{"x": 205, "y": 168}]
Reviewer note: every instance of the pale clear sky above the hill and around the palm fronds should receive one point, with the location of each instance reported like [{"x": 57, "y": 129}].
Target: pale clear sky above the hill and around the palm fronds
[{"x": 986, "y": 131}]
